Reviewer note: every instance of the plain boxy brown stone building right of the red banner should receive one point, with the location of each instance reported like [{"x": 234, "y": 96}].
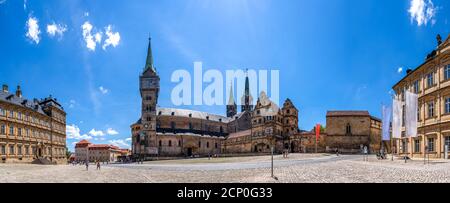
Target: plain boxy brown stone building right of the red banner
[{"x": 349, "y": 130}]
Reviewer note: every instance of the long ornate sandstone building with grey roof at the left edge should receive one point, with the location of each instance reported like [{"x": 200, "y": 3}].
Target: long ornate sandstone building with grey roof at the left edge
[{"x": 31, "y": 130}]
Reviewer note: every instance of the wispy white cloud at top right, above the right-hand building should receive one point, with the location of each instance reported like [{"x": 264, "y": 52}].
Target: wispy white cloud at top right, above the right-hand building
[{"x": 422, "y": 12}]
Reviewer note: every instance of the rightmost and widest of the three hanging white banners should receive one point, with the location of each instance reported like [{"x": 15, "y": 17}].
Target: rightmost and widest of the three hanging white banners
[{"x": 412, "y": 101}]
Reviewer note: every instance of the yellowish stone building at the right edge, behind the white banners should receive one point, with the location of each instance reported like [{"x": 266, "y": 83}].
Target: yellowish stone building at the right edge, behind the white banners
[{"x": 431, "y": 81}]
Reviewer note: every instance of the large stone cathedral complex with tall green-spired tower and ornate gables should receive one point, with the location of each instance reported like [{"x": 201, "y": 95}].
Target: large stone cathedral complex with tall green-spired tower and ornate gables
[{"x": 170, "y": 132}]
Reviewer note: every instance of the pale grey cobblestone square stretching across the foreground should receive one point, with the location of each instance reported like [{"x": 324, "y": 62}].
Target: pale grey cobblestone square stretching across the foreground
[{"x": 297, "y": 168}]
